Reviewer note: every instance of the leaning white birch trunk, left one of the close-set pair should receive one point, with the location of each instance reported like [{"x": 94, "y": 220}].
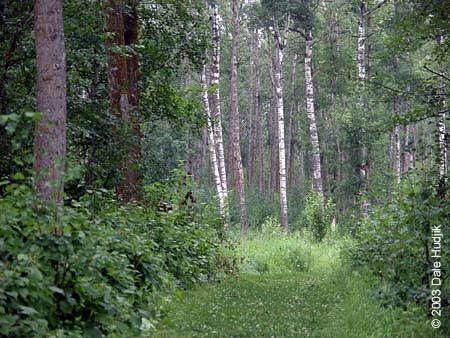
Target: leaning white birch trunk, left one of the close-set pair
[{"x": 212, "y": 148}]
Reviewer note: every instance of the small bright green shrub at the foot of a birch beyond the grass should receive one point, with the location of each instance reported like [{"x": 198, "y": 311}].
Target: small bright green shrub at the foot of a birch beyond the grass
[{"x": 317, "y": 215}]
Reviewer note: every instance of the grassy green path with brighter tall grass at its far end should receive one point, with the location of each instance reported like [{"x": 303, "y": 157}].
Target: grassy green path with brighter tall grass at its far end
[{"x": 268, "y": 298}]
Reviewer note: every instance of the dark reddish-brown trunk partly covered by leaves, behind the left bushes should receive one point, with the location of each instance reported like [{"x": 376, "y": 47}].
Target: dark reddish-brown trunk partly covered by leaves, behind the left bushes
[{"x": 123, "y": 93}]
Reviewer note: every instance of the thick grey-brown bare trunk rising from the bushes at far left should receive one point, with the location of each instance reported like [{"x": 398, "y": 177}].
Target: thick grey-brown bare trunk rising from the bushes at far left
[{"x": 50, "y": 133}]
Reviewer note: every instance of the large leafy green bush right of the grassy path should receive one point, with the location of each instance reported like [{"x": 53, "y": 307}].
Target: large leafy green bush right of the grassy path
[{"x": 395, "y": 242}]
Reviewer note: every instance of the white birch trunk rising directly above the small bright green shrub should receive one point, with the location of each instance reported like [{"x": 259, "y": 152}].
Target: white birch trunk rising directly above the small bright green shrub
[{"x": 317, "y": 170}]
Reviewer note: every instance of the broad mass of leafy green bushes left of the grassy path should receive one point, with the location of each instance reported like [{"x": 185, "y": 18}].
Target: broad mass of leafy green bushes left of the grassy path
[{"x": 106, "y": 275}]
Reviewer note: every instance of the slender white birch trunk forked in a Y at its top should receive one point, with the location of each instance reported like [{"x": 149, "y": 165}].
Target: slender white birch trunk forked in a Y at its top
[{"x": 280, "y": 46}]
